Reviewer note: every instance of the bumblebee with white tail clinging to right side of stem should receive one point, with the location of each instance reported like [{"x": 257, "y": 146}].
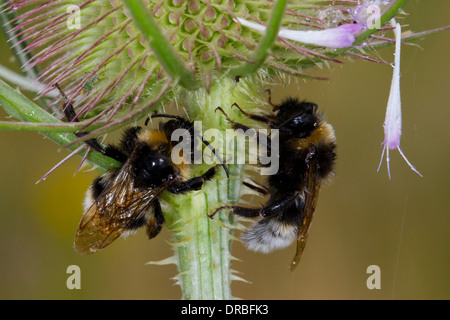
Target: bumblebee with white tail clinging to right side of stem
[{"x": 306, "y": 159}]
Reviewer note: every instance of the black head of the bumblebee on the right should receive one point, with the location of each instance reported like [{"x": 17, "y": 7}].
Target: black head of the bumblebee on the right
[{"x": 298, "y": 118}]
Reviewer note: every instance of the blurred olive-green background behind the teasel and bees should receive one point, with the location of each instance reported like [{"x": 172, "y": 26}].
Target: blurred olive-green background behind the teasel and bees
[{"x": 362, "y": 219}]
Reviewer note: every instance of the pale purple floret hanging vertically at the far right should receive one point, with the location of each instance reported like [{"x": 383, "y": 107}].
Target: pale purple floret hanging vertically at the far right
[{"x": 393, "y": 121}]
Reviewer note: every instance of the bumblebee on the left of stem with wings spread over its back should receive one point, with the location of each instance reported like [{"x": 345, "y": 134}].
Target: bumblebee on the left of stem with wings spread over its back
[{"x": 126, "y": 198}]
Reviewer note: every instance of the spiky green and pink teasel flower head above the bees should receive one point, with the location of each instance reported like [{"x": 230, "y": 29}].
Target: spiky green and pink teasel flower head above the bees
[{"x": 111, "y": 57}]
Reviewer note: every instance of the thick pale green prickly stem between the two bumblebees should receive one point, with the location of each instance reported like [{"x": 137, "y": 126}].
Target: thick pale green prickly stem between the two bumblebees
[{"x": 203, "y": 245}]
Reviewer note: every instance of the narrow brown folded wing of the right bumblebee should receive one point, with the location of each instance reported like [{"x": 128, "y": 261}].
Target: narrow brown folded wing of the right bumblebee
[{"x": 311, "y": 196}]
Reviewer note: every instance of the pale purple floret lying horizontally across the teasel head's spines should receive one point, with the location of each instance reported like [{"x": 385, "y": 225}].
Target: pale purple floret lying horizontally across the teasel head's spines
[{"x": 339, "y": 37}]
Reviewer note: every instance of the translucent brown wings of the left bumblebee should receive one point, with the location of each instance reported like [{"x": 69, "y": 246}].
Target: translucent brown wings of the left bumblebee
[{"x": 120, "y": 206}]
